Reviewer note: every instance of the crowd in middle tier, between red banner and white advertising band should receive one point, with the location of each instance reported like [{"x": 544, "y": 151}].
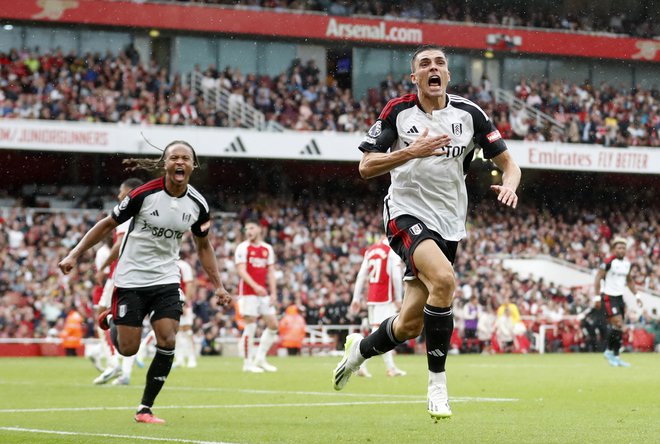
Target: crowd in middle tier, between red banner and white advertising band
[{"x": 118, "y": 88}]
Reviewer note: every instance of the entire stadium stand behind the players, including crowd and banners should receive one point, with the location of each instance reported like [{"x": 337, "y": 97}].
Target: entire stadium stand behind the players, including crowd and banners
[{"x": 277, "y": 95}]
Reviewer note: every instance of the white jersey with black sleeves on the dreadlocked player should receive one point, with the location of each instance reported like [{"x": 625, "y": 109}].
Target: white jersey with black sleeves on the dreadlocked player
[{"x": 150, "y": 248}]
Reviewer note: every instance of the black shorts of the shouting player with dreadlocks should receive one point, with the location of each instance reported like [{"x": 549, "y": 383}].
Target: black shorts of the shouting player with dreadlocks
[{"x": 131, "y": 305}]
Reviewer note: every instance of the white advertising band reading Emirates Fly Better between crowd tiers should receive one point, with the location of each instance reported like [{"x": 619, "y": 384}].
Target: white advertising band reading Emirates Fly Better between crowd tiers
[{"x": 99, "y": 138}]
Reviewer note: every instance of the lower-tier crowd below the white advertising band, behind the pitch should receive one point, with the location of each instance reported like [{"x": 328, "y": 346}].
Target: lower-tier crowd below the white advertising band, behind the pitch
[{"x": 319, "y": 246}]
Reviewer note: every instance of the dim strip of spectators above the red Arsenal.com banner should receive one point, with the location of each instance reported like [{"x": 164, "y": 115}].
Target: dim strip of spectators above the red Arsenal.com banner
[{"x": 501, "y": 13}]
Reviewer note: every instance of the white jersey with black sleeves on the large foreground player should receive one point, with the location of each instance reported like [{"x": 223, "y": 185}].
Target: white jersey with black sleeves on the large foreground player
[{"x": 432, "y": 189}]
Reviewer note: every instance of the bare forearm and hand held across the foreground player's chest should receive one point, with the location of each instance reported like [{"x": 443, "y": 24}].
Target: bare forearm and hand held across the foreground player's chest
[{"x": 377, "y": 163}]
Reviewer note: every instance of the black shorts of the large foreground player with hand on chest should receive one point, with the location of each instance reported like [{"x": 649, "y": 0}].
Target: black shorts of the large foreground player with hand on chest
[{"x": 405, "y": 233}]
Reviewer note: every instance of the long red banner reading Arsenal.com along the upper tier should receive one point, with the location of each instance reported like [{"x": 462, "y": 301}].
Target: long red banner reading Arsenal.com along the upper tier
[{"x": 225, "y": 21}]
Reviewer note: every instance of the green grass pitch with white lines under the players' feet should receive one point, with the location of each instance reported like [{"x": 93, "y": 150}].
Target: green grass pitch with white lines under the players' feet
[{"x": 560, "y": 398}]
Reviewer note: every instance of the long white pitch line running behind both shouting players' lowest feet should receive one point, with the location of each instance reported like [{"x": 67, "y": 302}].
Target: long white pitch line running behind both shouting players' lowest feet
[{"x": 249, "y": 406}]
